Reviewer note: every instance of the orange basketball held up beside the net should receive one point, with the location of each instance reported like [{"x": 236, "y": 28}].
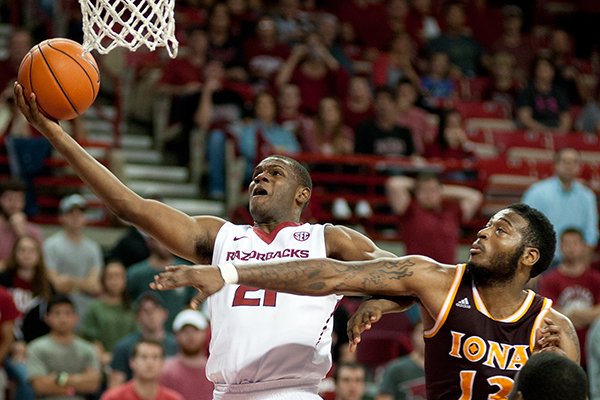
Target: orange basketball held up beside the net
[{"x": 63, "y": 78}]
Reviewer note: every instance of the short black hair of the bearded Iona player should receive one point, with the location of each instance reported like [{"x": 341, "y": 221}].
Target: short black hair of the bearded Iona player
[{"x": 540, "y": 234}]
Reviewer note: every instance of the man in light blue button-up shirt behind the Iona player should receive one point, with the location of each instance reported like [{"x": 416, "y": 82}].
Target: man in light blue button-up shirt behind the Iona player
[{"x": 564, "y": 200}]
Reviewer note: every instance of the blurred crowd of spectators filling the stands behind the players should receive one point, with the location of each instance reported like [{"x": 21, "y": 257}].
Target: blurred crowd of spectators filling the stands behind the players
[{"x": 337, "y": 78}]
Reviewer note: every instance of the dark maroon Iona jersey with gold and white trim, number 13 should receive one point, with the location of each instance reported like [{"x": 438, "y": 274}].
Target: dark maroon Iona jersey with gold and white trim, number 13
[{"x": 471, "y": 355}]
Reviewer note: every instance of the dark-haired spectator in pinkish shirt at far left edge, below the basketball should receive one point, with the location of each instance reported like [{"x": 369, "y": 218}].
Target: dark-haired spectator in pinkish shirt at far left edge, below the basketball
[{"x": 13, "y": 221}]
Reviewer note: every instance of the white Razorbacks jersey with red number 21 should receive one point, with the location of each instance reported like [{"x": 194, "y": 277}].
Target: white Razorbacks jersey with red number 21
[{"x": 260, "y": 338}]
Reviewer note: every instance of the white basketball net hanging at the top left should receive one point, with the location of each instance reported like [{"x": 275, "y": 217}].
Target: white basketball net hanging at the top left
[{"x": 129, "y": 23}]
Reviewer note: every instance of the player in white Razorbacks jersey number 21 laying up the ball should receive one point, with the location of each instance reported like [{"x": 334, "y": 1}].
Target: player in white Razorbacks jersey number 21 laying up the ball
[{"x": 271, "y": 359}]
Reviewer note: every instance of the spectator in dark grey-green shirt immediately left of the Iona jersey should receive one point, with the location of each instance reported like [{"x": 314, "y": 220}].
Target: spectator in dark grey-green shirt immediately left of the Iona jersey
[{"x": 404, "y": 378}]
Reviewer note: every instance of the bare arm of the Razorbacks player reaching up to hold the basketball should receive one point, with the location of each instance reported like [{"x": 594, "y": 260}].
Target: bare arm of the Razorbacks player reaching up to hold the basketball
[{"x": 176, "y": 230}]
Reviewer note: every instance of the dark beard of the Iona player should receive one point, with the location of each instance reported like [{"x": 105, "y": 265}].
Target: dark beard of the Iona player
[{"x": 501, "y": 271}]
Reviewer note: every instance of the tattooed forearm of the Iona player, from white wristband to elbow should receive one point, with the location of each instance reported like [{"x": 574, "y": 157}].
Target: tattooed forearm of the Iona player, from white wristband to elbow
[{"x": 326, "y": 276}]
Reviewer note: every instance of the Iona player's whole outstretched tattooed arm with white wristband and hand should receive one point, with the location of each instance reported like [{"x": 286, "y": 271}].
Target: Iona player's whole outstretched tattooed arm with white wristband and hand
[{"x": 404, "y": 276}]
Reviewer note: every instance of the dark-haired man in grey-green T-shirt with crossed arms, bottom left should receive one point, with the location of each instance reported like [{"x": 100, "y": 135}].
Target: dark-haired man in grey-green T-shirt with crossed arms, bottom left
[{"x": 61, "y": 365}]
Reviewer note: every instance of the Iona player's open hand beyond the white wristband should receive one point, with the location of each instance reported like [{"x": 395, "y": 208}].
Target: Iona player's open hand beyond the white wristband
[{"x": 206, "y": 278}]
